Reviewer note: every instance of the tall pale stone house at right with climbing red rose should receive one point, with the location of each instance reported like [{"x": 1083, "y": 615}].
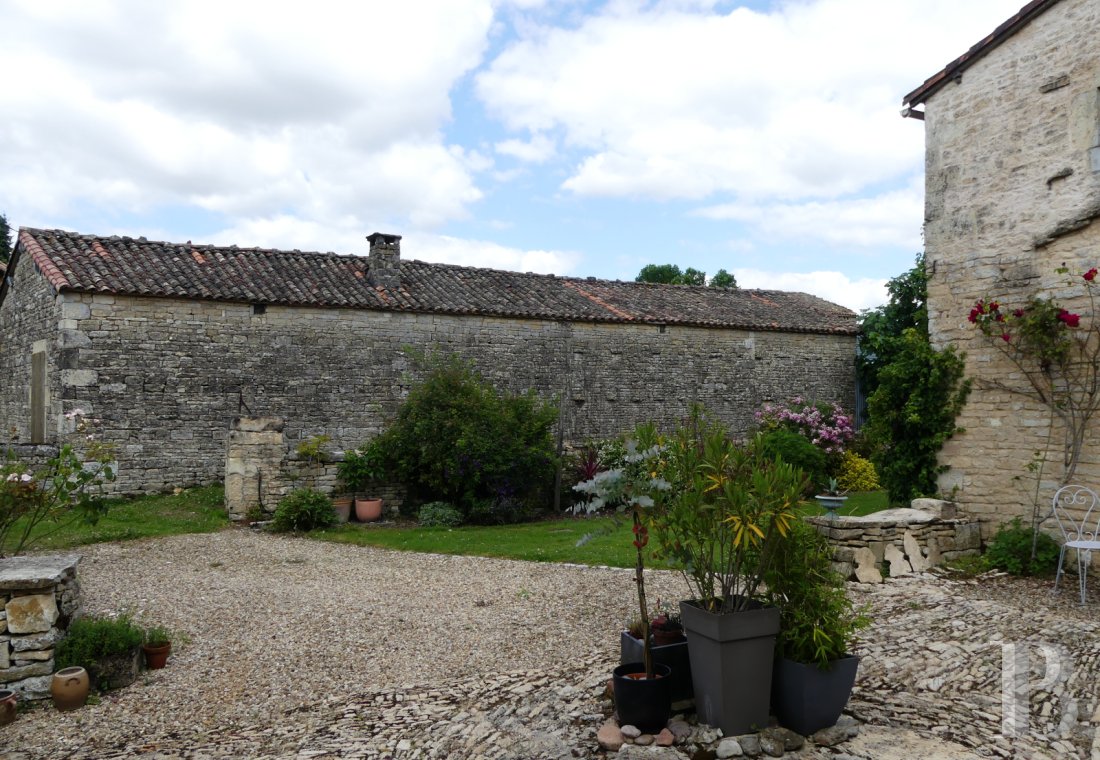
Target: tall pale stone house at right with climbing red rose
[{"x": 1013, "y": 193}]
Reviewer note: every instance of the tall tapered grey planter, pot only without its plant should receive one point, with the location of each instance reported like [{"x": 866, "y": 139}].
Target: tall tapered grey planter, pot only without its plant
[{"x": 731, "y": 665}]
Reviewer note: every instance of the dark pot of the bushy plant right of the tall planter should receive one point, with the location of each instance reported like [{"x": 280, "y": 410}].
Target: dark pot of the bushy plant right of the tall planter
[{"x": 807, "y": 699}]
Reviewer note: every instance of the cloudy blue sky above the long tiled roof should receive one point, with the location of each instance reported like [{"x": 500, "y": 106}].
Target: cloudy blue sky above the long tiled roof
[{"x": 582, "y": 139}]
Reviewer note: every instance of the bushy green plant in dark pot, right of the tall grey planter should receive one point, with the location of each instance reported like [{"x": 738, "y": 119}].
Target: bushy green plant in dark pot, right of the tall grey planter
[{"x": 816, "y": 669}]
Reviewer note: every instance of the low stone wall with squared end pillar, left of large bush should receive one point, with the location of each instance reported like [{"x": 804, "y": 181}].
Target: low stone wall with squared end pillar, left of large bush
[{"x": 262, "y": 468}]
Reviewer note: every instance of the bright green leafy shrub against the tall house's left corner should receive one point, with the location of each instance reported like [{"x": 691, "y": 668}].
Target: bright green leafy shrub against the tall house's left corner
[{"x": 912, "y": 414}]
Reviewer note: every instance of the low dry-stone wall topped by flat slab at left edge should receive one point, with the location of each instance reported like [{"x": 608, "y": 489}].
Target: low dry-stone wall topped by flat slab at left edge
[{"x": 40, "y": 596}]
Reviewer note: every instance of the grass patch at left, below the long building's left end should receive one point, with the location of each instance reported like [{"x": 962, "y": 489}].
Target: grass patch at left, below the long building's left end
[{"x": 193, "y": 511}]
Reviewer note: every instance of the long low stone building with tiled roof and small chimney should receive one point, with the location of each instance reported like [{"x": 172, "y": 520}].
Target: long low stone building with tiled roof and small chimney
[{"x": 167, "y": 344}]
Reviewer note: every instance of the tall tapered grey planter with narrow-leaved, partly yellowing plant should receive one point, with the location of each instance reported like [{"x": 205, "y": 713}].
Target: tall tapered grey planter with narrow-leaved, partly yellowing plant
[{"x": 729, "y": 514}]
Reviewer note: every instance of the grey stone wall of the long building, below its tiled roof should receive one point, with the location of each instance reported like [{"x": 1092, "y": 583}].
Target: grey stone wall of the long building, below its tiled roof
[{"x": 167, "y": 377}]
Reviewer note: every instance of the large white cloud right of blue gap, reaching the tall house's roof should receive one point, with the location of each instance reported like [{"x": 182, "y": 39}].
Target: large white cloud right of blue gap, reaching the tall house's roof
[{"x": 665, "y": 102}]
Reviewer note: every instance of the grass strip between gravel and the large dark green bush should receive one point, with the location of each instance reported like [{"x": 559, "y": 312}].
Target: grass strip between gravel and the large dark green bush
[{"x": 545, "y": 542}]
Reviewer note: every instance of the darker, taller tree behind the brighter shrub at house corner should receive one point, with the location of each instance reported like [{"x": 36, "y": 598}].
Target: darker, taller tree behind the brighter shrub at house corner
[{"x": 882, "y": 342}]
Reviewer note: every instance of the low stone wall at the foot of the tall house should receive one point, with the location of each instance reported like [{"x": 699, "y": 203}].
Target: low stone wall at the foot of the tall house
[{"x": 900, "y": 542}]
